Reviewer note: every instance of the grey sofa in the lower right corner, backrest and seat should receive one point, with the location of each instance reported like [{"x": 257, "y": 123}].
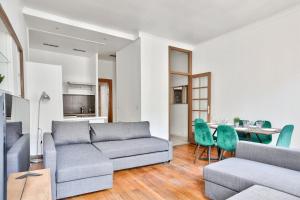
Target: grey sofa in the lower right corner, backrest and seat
[{"x": 255, "y": 164}]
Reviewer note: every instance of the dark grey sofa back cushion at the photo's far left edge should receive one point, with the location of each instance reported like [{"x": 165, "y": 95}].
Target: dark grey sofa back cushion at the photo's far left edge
[{"x": 13, "y": 133}]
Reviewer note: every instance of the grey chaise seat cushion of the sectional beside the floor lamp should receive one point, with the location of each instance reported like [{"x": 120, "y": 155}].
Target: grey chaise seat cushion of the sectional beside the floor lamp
[{"x": 79, "y": 161}]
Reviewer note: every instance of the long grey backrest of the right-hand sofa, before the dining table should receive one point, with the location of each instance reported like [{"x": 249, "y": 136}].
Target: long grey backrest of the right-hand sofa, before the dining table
[{"x": 278, "y": 156}]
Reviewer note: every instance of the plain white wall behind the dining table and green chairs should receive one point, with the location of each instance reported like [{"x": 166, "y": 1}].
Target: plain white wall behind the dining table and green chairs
[{"x": 255, "y": 72}]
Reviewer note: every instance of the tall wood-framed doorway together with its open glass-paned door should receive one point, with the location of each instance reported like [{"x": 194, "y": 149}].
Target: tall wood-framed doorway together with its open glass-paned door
[{"x": 189, "y": 96}]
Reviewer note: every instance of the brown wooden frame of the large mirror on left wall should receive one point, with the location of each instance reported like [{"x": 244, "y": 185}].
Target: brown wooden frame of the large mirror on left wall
[{"x": 4, "y": 18}]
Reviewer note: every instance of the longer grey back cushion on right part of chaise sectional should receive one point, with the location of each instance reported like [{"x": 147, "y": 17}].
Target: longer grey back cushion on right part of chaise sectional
[{"x": 119, "y": 131}]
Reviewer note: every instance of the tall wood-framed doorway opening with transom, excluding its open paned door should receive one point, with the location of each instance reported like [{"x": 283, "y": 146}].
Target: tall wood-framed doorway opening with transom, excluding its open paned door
[{"x": 180, "y": 69}]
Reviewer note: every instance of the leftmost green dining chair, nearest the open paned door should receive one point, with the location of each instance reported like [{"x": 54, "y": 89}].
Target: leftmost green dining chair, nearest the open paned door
[{"x": 203, "y": 137}]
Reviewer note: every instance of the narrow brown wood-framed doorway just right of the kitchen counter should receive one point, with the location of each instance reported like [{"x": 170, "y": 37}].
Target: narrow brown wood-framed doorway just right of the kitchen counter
[{"x": 105, "y": 98}]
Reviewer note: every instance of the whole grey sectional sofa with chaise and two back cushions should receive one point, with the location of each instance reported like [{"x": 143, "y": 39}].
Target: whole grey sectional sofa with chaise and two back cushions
[{"x": 83, "y": 156}]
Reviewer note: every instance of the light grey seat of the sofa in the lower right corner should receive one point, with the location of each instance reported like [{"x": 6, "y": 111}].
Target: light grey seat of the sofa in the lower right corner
[{"x": 239, "y": 174}]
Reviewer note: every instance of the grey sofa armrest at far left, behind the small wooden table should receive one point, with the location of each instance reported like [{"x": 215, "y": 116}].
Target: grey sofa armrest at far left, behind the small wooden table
[{"x": 18, "y": 156}]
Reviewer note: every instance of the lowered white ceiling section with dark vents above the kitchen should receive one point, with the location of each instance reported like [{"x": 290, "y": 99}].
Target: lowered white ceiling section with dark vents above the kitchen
[{"x": 68, "y": 37}]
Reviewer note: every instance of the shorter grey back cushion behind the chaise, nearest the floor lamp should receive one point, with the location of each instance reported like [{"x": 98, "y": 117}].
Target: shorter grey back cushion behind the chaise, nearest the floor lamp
[{"x": 70, "y": 132}]
